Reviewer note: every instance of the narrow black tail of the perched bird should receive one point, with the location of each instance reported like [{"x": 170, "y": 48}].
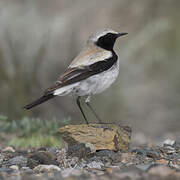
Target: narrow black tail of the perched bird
[{"x": 39, "y": 101}]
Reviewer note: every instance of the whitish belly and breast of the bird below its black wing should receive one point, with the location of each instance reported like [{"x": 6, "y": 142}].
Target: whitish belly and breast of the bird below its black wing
[{"x": 97, "y": 83}]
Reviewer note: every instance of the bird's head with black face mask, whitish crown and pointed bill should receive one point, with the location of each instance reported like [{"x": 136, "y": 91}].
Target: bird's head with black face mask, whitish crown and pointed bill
[{"x": 105, "y": 38}]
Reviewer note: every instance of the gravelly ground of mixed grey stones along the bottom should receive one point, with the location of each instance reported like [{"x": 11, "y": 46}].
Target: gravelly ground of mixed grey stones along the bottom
[{"x": 145, "y": 162}]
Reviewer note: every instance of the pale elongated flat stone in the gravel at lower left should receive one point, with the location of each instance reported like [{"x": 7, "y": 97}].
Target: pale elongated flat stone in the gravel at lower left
[{"x": 46, "y": 168}]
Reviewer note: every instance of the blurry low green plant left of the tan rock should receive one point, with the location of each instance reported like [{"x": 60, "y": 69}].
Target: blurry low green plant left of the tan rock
[{"x": 31, "y": 132}]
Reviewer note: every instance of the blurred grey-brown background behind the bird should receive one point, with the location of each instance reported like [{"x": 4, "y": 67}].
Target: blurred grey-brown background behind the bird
[{"x": 39, "y": 38}]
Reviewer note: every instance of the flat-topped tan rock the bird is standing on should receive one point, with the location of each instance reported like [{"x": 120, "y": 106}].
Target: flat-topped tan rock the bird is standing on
[{"x": 97, "y": 136}]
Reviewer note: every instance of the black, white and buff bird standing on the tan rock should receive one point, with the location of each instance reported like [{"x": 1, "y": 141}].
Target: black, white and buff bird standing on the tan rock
[{"x": 91, "y": 72}]
